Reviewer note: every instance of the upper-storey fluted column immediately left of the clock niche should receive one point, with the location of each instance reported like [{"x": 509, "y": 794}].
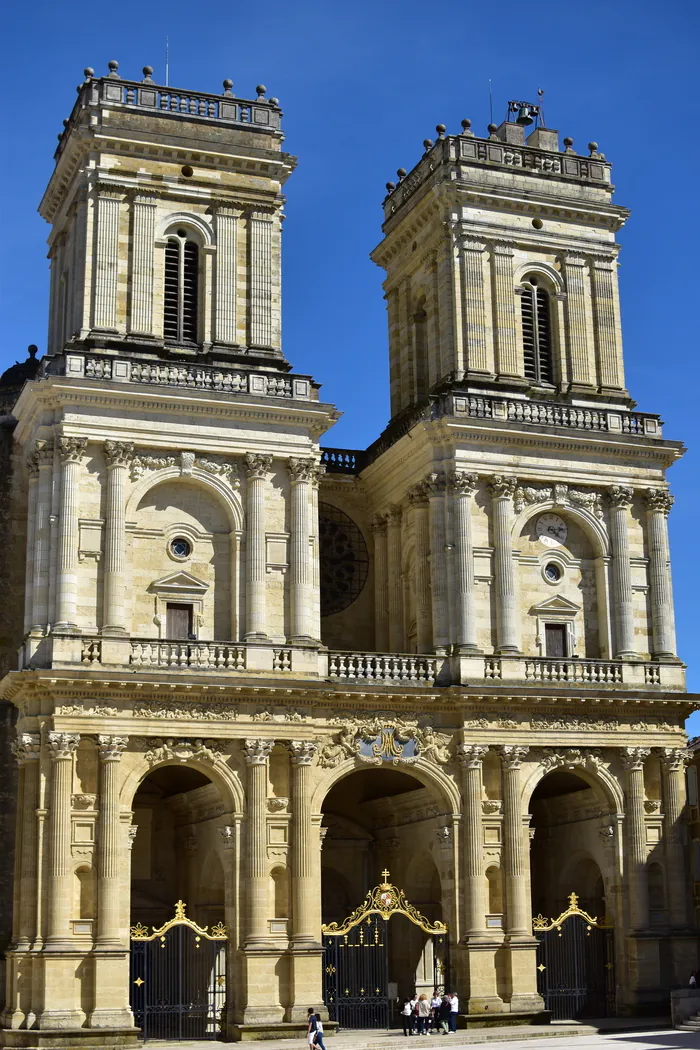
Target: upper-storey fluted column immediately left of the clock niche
[{"x": 502, "y": 490}]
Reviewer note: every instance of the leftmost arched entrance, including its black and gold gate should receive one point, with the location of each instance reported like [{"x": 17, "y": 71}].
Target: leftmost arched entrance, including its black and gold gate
[{"x": 179, "y": 932}]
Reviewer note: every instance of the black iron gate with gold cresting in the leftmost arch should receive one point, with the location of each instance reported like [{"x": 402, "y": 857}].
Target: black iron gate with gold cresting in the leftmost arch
[{"x": 179, "y": 979}]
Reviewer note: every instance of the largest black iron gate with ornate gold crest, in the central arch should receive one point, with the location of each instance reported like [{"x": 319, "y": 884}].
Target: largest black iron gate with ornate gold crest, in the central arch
[{"x": 356, "y": 961}]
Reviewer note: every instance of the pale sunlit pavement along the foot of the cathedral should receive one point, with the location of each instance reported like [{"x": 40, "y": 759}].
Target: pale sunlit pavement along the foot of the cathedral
[{"x": 555, "y": 1037}]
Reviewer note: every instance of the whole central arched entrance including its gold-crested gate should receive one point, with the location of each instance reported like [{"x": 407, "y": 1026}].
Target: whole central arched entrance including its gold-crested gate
[{"x": 380, "y": 821}]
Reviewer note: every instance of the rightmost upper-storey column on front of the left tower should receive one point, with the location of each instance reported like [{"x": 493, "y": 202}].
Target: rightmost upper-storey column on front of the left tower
[{"x": 302, "y": 474}]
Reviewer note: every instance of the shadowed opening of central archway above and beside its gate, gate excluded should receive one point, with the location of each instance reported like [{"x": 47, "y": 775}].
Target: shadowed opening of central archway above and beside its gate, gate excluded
[{"x": 383, "y": 821}]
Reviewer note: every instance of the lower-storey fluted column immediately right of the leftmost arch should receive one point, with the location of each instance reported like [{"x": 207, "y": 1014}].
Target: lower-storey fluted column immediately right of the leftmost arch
[{"x": 258, "y": 754}]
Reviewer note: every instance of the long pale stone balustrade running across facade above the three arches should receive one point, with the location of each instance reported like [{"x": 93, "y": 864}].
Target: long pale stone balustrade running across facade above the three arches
[{"x": 408, "y": 670}]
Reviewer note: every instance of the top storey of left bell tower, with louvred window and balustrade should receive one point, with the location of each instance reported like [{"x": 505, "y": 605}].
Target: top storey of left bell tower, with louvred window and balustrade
[{"x": 198, "y": 178}]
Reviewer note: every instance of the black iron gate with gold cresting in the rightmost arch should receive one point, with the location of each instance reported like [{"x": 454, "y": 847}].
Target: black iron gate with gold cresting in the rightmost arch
[{"x": 576, "y": 964}]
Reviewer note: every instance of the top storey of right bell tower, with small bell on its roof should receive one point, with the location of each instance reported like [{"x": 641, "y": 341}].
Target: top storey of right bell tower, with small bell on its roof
[{"x": 501, "y": 270}]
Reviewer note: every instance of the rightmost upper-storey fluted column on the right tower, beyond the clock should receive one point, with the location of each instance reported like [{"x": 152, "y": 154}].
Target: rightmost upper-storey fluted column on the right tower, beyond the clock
[{"x": 660, "y": 503}]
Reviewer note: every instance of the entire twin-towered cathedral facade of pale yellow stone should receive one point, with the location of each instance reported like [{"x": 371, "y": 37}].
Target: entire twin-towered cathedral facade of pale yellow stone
[{"x": 260, "y": 677}]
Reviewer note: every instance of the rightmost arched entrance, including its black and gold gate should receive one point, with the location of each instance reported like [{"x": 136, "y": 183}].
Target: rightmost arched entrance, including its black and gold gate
[{"x": 576, "y": 958}]
